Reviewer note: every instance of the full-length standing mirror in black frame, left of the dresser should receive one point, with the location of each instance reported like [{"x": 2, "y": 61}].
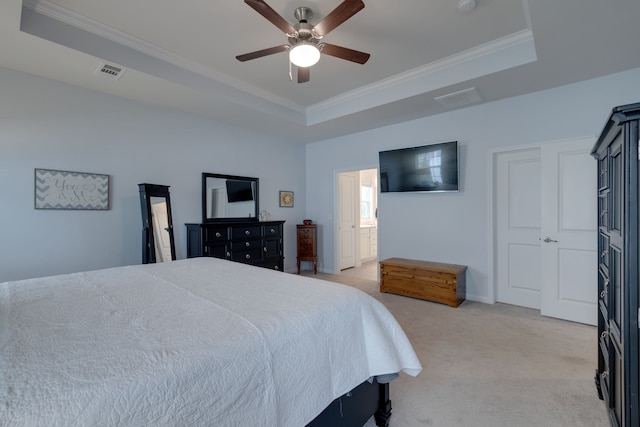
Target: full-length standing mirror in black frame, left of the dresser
[{"x": 157, "y": 226}]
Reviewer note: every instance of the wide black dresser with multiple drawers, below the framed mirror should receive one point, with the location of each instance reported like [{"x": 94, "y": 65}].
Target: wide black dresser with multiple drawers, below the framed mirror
[{"x": 256, "y": 243}]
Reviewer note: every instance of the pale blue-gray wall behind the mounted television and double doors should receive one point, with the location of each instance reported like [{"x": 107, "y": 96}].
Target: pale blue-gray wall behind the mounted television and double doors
[{"x": 453, "y": 227}]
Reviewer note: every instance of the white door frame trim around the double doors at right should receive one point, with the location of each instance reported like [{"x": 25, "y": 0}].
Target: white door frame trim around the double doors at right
[{"x": 491, "y": 242}]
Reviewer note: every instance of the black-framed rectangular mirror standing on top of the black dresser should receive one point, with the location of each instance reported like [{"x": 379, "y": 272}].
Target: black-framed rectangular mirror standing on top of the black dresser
[{"x": 229, "y": 198}]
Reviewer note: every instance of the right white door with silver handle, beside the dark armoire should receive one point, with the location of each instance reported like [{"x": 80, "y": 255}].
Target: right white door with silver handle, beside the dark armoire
[{"x": 569, "y": 232}]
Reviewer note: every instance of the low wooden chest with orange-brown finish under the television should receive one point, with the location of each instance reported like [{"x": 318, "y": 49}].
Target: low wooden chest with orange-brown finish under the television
[{"x": 431, "y": 281}]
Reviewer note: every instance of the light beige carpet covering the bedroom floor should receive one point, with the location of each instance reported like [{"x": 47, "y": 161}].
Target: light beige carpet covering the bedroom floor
[{"x": 488, "y": 365}]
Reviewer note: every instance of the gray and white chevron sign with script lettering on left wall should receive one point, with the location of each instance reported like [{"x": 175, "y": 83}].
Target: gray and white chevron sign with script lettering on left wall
[{"x": 71, "y": 190}]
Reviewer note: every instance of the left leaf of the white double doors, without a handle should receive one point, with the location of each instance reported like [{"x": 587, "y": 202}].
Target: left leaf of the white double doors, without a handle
[{"x": 517, "y": 227}]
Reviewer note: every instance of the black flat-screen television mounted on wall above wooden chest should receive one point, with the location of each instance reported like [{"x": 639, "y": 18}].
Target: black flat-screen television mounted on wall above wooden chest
[{"x": 427, "y": 168}]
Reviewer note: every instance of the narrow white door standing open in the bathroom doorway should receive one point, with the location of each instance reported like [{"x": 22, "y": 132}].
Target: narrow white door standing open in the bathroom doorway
[{"x": 347, "y": 220}]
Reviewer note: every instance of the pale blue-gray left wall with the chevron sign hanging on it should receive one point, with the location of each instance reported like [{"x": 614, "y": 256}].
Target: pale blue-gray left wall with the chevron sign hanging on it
[{"x": 51, "y": 125}]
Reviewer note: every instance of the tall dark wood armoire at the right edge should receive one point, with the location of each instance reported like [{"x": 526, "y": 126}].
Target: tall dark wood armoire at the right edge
[{"x": 617, "y": 374}]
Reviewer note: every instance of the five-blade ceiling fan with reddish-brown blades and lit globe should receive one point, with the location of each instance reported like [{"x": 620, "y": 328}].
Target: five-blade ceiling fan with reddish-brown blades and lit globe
[{"x": 304, "y": 39}]
